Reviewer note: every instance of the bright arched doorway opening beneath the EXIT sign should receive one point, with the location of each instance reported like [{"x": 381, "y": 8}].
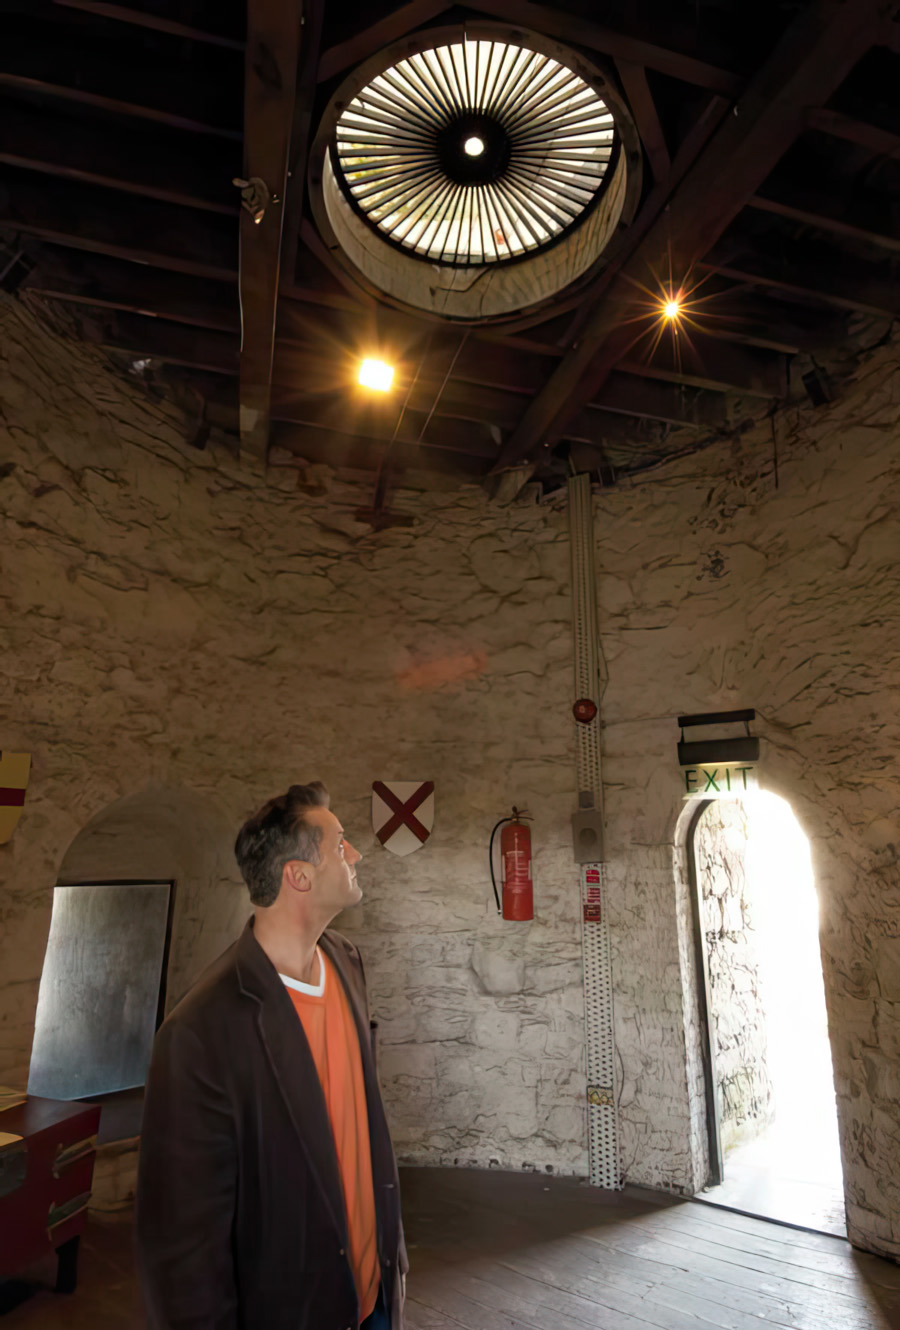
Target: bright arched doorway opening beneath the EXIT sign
[{"x": 772, "y": 1111}]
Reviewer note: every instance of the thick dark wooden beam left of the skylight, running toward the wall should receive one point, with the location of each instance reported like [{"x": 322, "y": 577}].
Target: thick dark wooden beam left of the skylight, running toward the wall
[{"x": 275, "y": 35}]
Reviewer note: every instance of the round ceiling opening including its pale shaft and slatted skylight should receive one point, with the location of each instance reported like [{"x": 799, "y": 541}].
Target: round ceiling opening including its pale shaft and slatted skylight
[{"x": 474, "y": 176}]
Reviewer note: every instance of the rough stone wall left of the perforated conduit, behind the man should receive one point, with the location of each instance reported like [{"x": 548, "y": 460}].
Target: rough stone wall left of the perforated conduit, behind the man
[{"x": 172, "y": 622}]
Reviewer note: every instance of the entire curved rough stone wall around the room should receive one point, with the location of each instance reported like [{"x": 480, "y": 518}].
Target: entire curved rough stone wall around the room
[{"x": 172, "y": 622}]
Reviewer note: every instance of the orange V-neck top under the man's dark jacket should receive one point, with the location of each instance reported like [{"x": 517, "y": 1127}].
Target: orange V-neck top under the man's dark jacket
[{"x": 332, "y": 1033}]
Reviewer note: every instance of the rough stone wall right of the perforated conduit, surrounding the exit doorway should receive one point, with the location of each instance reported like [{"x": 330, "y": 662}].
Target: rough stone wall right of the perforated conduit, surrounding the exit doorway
[{"x": 725, "y": 583}]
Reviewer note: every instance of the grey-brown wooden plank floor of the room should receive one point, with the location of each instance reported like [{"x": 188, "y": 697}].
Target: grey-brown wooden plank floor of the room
[{"x": 497, "y": 1251}]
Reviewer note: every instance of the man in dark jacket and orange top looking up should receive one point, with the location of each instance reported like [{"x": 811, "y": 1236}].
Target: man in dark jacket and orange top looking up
[{"x": 268, "y": 1190}]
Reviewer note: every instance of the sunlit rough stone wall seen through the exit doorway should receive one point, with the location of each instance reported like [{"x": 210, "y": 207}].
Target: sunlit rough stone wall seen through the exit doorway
[{"x": 745, "y": 1089}]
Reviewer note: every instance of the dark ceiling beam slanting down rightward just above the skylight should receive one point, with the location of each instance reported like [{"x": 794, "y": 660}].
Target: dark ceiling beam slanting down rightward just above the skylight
[{"x": 610, "y": 42}]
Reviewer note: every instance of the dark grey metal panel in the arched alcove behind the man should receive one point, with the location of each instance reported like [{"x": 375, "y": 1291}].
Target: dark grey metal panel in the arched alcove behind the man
[{"x": 98, "y": 1010}]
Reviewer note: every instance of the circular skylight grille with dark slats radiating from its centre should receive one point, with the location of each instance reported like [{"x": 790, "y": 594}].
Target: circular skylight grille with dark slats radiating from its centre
[{"x": 474, "y": 152}]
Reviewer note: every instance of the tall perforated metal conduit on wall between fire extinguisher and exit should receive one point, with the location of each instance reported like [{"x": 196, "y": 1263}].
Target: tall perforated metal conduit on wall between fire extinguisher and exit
[{"x": 603, "y": 1118}]
